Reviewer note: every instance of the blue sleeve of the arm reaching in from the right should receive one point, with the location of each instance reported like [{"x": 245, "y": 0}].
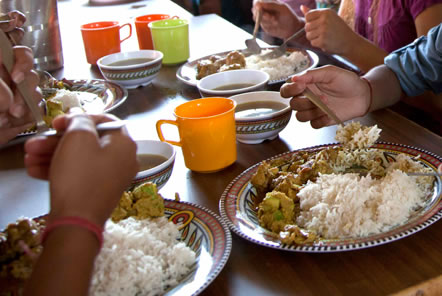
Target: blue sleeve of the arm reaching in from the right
[{"x": 418, "y": 65}]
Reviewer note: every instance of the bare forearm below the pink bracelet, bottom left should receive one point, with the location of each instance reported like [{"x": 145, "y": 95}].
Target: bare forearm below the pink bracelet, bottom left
[{"x": 66, "y": 263}]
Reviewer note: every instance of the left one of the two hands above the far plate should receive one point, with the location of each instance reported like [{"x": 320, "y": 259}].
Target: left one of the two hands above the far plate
[{"x": 277, "y": 18}]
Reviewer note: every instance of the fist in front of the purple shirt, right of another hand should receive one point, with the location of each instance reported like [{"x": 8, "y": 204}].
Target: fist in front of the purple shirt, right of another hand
[{"x": 326, "y": 30}]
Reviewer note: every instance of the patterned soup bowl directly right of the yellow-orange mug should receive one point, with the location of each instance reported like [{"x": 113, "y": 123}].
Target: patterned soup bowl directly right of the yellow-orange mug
[{"x": 260, "y": 116}]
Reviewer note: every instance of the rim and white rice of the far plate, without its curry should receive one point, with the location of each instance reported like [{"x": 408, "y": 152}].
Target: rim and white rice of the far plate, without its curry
[{"x": 293, "y": 62}]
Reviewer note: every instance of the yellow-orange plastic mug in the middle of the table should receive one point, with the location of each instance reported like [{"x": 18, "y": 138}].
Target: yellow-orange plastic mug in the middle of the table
[{"x": 207, "y": 133}]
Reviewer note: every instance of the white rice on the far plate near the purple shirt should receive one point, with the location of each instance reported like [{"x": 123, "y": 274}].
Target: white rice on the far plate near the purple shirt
[{"x": 281, "y": 67}]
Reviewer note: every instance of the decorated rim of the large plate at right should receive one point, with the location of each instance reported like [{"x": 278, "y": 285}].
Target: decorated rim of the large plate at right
[{"x": 401, "y": 231}]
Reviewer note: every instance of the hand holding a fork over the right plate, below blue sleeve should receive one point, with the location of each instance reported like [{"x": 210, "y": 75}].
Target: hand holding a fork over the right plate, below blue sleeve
[{"x": 343, "y": 91}]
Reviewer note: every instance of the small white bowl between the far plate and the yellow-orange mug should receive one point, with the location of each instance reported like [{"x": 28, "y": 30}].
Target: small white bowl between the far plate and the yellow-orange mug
[{"x": 208, "y": 84}]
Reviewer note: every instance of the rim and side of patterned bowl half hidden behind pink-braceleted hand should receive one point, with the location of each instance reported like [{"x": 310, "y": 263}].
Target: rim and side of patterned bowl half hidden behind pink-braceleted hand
[{"x": 161, "y": 173}]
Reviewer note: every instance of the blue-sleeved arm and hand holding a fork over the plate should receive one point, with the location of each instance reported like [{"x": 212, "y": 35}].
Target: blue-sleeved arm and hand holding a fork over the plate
[{"x": 412, "y": 70}]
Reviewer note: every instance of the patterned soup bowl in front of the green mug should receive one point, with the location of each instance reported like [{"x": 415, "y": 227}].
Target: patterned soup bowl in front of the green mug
[{"x": 131, "y": 69}]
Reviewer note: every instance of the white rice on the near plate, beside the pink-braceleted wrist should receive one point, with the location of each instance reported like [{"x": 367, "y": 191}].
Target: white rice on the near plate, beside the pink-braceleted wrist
[{"x": 140, "y": 257}]
